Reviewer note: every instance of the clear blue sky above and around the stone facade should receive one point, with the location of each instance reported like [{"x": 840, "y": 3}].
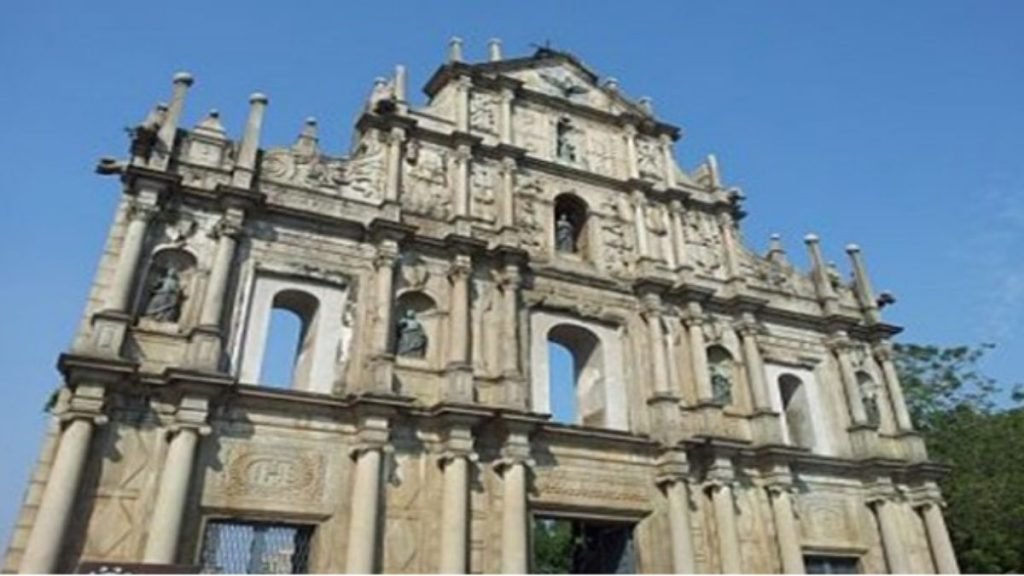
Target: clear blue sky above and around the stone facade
[{"x": 899, "y": 126}]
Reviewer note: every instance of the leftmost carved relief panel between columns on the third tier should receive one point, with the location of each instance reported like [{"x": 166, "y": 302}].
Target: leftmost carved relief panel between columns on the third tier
[{"x": 426, "y": 183}]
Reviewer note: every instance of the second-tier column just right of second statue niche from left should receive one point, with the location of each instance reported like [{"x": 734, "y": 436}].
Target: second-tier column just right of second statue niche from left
[{"x": 459, "y": 366}]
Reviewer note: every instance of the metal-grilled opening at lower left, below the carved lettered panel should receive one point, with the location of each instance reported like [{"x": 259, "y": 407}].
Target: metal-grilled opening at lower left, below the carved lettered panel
[{"x": 255, "y": 548}]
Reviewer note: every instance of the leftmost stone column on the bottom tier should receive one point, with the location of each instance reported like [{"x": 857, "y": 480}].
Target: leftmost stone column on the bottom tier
[{"x": 47, "y": 540}]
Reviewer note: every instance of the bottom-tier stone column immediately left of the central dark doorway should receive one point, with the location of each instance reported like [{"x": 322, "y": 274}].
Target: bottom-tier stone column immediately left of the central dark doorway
[{"x": 516, "y": 515}]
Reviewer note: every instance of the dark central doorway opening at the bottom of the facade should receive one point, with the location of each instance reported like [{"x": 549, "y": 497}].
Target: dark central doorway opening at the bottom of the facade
[{"x": 568, "y": 546}]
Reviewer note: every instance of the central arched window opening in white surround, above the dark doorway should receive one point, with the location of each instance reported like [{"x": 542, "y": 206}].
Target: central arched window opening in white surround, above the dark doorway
[{"x": 585, "y": 366}]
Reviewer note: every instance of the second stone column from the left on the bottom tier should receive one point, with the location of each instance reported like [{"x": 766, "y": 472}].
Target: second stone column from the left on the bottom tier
[{"x": 165, "y": 522}]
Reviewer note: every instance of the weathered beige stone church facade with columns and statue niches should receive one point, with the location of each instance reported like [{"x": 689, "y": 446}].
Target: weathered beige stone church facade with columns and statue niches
[{"x": 736, "y": 414}]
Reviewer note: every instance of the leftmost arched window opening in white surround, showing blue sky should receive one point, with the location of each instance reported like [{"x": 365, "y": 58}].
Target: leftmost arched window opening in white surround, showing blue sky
[{"x": 288, "y": 354}]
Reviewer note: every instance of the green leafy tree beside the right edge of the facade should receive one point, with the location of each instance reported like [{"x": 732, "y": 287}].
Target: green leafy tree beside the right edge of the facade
[{"x": 967, "y": 425}]
